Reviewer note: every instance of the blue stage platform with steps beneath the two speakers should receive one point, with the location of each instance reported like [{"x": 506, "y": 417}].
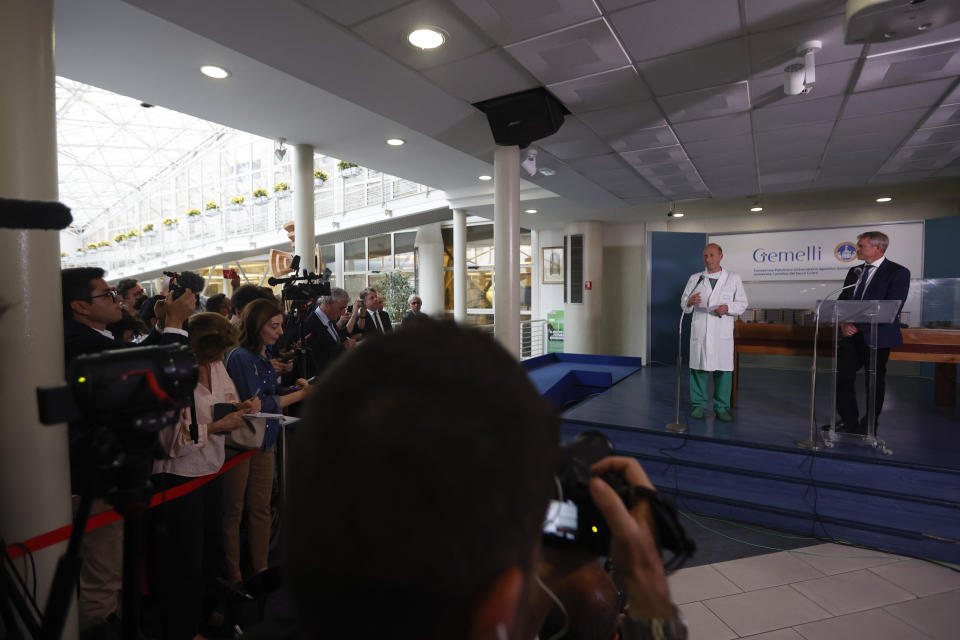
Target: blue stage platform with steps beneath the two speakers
[{"x": 750, "y": 470}]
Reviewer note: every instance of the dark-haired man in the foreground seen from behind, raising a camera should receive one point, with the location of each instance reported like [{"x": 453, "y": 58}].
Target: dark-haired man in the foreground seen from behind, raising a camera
[{"x": 421, "y": 495}]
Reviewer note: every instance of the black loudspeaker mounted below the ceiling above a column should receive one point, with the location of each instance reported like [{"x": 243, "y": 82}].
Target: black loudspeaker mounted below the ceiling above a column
[{"x": 520, "y": 118}]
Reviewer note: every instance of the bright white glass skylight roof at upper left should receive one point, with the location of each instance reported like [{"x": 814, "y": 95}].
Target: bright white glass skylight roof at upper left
[{"x": 109, "y": 146}]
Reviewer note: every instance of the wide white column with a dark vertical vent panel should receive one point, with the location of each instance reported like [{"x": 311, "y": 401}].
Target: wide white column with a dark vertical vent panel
[{"x": 582, "y": 322}]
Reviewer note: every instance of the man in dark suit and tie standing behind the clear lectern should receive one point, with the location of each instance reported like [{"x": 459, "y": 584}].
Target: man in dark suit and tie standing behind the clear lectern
[{"x": 877, "y": 279}]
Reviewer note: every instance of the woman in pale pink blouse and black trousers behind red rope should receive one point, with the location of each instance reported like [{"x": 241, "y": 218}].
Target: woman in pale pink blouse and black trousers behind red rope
[{"x": 187, "y": 531}]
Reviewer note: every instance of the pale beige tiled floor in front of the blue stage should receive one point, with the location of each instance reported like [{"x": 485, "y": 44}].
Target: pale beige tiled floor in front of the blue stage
[{"x": 822, "y": 592}]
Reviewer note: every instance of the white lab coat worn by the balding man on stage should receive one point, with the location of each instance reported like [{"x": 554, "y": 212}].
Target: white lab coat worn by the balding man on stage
[{"x": 711, "y": 336}]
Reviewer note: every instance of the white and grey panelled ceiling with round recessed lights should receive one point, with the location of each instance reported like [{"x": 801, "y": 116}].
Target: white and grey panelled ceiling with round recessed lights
[{"x": 670, "y": 99}]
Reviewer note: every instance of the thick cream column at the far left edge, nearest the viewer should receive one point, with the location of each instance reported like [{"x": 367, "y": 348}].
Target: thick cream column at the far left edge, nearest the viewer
[{"x": 34, "y": 463}]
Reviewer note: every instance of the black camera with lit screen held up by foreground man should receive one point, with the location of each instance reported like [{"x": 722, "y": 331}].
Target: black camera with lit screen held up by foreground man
[{"x": 573, "y": 518}]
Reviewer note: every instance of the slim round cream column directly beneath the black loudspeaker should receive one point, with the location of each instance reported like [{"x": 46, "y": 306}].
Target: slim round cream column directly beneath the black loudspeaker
[{"x": 506, "y": 247}]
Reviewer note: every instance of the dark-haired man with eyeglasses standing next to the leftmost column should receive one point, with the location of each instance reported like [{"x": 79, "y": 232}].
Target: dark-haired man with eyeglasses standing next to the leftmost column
[{"x": 89, "y": 305}]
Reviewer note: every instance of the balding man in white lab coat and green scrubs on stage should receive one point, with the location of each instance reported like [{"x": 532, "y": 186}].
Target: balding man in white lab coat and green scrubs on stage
[{"x": 714, "y": 296}]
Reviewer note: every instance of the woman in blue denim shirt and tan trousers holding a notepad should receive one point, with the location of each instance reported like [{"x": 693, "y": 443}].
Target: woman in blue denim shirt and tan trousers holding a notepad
[{"x": 249, "y": 483}]
